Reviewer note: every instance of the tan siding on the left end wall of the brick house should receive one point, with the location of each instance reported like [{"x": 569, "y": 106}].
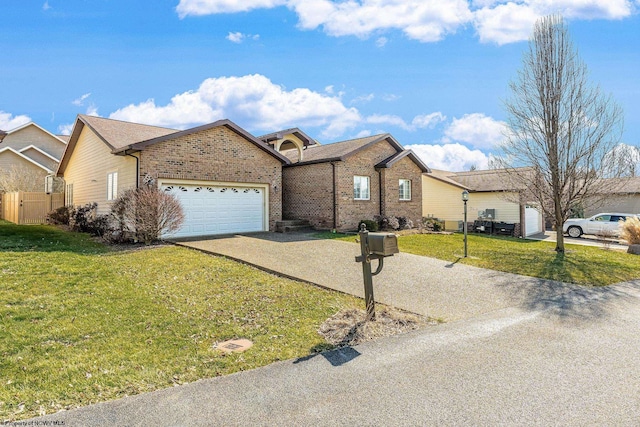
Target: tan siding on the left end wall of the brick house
[{"x": 89, "y": 165}]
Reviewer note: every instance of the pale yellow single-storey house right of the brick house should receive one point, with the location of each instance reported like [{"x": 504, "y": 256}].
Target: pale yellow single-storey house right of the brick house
[{"x": 492, "y": 197}]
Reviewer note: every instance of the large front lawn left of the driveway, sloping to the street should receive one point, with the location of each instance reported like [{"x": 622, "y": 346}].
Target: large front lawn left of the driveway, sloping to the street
[{"x": 81, "y": 323}]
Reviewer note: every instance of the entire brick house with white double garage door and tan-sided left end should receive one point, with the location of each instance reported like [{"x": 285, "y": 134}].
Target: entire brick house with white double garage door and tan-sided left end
[{"x": 229, "y": 181}]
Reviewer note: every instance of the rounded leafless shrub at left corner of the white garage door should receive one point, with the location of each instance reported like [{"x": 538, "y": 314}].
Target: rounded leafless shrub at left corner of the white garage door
[{"x": 146, "y": 214}]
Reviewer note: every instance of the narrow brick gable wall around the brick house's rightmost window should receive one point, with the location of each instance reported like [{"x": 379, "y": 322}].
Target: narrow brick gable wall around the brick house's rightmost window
[{"x": 392, "y": 205}]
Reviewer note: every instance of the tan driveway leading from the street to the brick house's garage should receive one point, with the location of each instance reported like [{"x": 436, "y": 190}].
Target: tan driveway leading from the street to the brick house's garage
[{"x": 440, "y": 289}]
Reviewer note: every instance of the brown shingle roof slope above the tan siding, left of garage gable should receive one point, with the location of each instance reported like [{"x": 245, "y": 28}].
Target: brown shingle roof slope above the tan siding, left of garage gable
[{"x": 118, "y": 134}]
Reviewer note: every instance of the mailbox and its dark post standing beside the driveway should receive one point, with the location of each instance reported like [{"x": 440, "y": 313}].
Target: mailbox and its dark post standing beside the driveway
[{"x": 374, "y": 246}]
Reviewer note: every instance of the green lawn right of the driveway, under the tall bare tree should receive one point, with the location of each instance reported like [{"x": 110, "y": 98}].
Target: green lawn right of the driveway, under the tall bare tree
[{"x": 582, "y": 265}]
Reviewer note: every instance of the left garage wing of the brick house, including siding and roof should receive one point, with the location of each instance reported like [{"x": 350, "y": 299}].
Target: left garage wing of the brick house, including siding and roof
[{"x": 227, "y": 180}]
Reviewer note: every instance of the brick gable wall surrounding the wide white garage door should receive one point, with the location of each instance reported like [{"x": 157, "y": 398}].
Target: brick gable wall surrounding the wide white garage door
[{"x": 216, "y": 154}]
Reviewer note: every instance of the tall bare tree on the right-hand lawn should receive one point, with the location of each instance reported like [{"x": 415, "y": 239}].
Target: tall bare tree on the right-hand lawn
[{"x": 562, "y": 127}]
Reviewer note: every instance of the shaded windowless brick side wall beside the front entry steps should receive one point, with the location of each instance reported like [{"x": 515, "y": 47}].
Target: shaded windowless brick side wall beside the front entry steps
[{"x": 308, "y": 194}]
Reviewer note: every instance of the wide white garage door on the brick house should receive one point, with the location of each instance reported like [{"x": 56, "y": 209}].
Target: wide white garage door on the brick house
[{"x": 219, "y": 209}]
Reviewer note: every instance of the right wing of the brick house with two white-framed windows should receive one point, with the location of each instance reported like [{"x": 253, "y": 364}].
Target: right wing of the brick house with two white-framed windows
[{"x": 335, "y": 186}]
